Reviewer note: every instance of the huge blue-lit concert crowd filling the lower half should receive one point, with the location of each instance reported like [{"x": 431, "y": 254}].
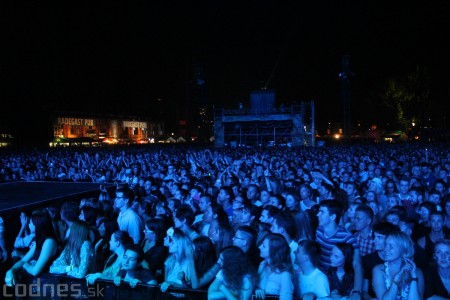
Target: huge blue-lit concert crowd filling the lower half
[{"x": 359, "y": 222}]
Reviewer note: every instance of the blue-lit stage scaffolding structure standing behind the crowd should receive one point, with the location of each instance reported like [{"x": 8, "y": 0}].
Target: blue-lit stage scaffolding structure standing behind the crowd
[{"x": 293, "y": 125}]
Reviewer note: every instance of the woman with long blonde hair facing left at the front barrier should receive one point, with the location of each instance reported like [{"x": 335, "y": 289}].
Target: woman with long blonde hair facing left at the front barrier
[{"x": 179, "y": 267}]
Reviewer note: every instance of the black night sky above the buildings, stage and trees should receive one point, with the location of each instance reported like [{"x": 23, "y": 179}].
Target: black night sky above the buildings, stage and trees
[{"x": 110, "y": 56}]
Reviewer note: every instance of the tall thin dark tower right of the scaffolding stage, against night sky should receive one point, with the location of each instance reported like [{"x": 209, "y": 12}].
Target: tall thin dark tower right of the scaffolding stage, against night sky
[{"x": 346, "y": 94}]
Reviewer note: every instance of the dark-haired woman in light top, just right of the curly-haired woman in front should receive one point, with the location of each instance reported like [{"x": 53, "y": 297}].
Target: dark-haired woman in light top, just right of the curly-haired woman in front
[{"x": 275, "y": 271}]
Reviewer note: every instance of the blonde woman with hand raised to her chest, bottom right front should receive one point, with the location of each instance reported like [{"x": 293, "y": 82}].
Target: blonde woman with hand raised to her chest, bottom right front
[{"x": 398, "y": 277}]
